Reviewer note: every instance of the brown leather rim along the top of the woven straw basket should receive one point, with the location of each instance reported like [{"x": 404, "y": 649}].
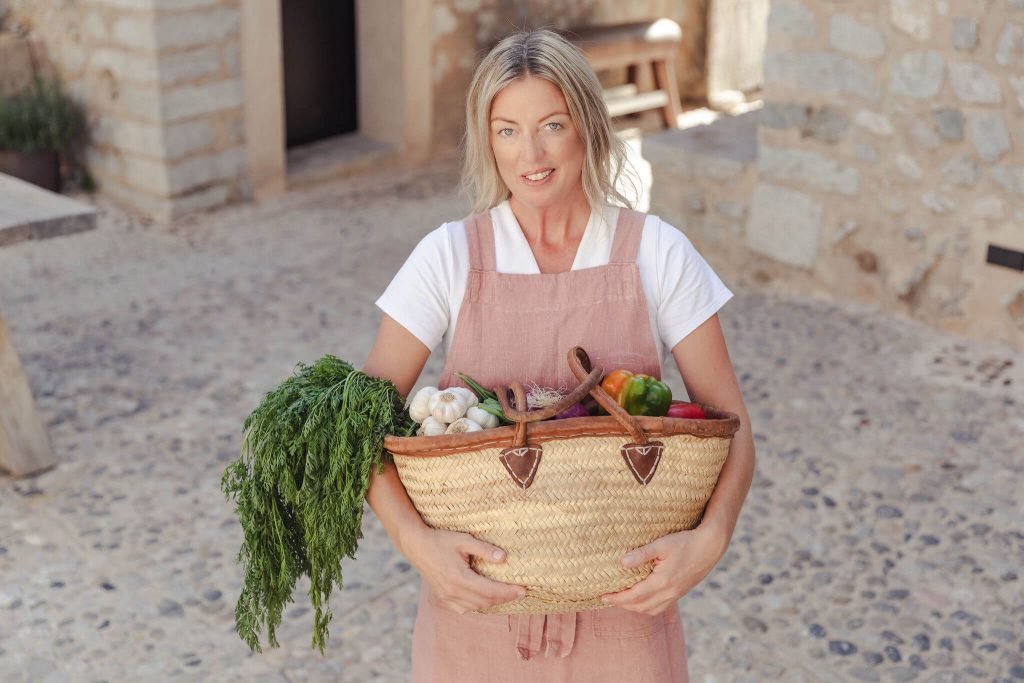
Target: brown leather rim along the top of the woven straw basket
[{"x": 718, "y": 424}]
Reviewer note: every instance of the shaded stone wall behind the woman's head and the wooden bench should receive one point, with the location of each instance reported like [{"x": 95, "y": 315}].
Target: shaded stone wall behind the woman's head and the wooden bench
[{"x": 463, "y": 30}]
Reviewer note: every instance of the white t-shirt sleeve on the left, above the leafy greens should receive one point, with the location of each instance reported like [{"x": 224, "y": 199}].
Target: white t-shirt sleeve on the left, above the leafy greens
[{"x": 418, "y": 296}]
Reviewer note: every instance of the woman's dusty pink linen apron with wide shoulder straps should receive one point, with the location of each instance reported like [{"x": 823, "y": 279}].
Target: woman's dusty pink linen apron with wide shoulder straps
[{"x": 521, "y": 327}]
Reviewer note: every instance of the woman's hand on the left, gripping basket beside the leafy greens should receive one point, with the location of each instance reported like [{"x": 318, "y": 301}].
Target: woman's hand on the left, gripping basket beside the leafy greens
[{"x": 443, "y": 560}]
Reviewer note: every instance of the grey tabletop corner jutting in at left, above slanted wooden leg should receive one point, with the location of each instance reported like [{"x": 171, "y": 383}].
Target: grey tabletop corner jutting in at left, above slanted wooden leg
[{"x": 29, "y": 212}]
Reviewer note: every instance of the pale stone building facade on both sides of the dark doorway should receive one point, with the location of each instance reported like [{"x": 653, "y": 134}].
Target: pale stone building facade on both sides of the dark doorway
[{"x": 186, "y": 97}]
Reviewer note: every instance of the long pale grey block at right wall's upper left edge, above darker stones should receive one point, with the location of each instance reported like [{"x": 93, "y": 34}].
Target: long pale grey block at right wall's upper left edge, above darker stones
[{"x": 823, "y": 73}]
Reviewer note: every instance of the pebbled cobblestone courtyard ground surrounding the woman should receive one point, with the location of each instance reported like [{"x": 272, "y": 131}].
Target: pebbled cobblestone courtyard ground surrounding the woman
[{"x": 882, "y": 541}]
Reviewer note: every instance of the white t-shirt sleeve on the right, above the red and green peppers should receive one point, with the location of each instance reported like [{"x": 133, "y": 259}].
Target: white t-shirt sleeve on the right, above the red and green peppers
[{"x": 691, "y": 290}]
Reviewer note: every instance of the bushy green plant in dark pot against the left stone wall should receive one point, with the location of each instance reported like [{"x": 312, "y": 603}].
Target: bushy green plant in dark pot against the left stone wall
[{"x": 36, "y": 126}]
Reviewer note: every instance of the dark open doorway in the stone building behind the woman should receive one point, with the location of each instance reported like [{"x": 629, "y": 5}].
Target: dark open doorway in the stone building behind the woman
[{"x": 320, "y": 69}]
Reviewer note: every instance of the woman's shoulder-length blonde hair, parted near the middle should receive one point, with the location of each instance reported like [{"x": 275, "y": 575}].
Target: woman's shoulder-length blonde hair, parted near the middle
[{"x": 546, "y": 55}]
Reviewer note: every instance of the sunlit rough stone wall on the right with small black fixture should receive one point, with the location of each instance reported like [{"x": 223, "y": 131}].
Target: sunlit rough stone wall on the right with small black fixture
[{"x": 891, "y": 154}]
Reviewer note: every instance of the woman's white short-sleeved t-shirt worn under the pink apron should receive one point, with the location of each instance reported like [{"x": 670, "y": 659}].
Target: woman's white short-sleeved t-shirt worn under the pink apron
[{"x": 682, "y": 290}]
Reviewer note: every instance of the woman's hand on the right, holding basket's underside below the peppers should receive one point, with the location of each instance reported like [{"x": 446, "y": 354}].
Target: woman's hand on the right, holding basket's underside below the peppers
[{"x": 681, "y": 562}]
